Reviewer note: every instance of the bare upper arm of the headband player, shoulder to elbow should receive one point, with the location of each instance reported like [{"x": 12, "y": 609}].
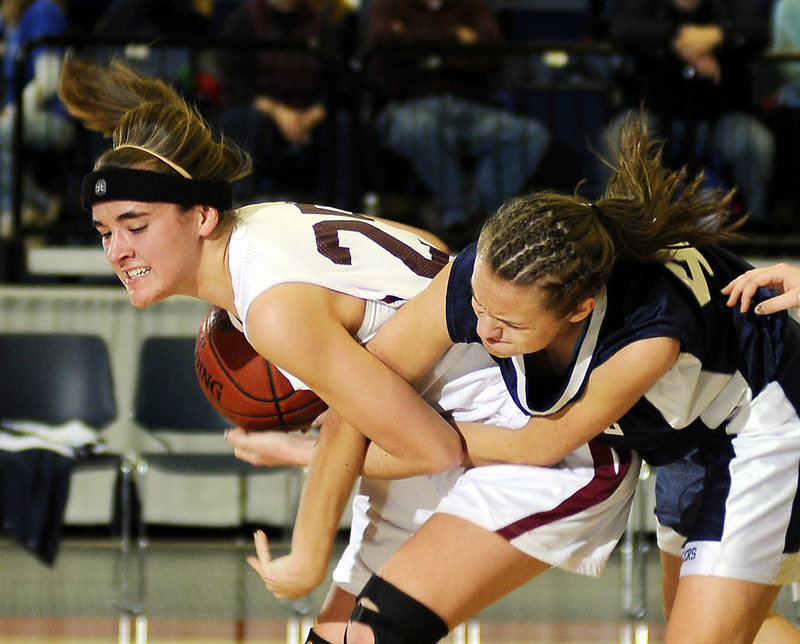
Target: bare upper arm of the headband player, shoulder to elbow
[{"x": 300, "y": 329}]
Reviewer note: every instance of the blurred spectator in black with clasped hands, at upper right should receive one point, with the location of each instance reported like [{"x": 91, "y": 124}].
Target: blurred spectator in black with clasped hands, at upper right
[{"x": 690, "y": 71}]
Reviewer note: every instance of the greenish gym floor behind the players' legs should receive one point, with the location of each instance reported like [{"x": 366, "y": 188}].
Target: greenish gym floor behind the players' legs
[{"x": 201, "y": 590}]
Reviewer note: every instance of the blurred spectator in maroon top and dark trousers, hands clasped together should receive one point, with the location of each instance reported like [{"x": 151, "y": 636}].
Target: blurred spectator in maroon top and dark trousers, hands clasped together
[{"x": 277, "y": 100}]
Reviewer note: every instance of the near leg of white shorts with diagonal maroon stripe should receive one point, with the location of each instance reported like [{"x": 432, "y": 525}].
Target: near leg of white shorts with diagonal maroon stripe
[{"x": 570, "y": 516}]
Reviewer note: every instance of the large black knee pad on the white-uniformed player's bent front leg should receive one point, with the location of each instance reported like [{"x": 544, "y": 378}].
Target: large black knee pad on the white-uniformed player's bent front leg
[{"x": 400, "y": 619}]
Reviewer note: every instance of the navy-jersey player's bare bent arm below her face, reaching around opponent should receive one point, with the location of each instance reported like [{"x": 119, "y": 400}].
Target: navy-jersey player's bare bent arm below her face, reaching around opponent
[{"x": 613, "y": 388}]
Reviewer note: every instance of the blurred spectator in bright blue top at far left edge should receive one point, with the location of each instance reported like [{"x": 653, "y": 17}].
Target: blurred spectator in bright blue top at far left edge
[{"x": 46, "y": 125}]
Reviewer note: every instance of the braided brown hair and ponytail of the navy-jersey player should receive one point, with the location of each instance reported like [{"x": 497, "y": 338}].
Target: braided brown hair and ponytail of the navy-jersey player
[{"x": 568, "y": 245}]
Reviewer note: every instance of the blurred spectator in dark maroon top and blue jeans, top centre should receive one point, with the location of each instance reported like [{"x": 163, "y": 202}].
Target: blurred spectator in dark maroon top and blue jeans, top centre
[{"x": 436, "y": 110}]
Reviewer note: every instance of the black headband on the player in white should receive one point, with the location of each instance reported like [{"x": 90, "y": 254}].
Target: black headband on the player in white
[{"x": 124, "y": 184}]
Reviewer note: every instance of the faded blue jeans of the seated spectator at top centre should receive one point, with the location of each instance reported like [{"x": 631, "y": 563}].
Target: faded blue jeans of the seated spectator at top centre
[{"x": 436, "y": 134}]
